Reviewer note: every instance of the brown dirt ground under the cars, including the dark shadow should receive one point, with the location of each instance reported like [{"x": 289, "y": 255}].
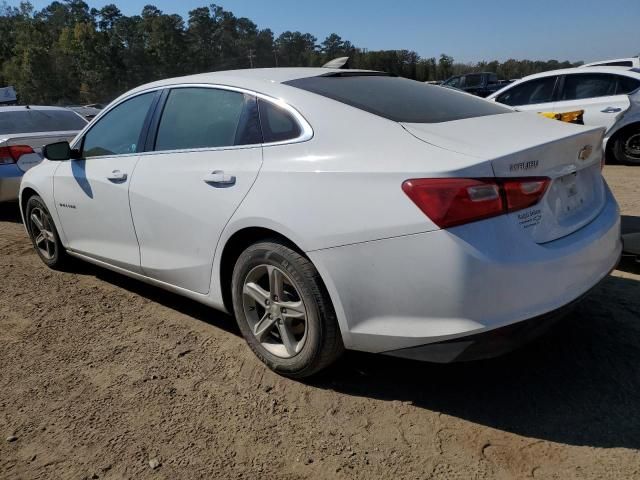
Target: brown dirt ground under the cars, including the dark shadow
[{"x": 99, "y": 375}]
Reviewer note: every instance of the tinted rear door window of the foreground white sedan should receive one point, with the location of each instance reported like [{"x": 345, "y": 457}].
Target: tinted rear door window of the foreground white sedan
[{"x": 206, "y": 118}]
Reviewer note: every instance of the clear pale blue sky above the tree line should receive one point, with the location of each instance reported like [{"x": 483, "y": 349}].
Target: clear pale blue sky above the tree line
[{"x": 468, "y": 30}]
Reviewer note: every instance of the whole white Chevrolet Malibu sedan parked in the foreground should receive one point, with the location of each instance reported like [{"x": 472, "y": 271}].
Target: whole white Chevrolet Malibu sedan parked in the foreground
[{"x": 330, "y": 209}]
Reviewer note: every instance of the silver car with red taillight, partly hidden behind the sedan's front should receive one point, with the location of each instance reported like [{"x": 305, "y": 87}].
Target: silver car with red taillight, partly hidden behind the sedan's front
[{"x": 23, "y": 132}]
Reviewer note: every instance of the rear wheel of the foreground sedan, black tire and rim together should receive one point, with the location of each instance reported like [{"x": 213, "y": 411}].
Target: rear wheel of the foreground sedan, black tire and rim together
[{"x": 283, "y": 310}]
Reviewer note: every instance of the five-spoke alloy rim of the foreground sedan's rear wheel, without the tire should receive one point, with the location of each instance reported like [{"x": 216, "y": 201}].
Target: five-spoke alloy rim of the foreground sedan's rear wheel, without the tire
[{"x": 275, "y": 310}]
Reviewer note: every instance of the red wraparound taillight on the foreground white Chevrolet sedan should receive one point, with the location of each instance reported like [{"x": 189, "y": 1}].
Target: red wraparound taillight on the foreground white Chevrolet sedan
[{"x": 455, "y": 201}]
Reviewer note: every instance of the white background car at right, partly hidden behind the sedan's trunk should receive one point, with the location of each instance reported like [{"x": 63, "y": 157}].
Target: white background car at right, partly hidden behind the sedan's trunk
[{"x": 604, "y": 93}]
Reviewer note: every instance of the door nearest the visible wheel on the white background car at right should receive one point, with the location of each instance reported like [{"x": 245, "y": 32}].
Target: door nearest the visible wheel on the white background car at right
[{"x": 601, "y": 95}]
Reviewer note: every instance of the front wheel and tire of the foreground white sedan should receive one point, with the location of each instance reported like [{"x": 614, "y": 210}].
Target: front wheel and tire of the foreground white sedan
[{"x": 44, "y": 235}]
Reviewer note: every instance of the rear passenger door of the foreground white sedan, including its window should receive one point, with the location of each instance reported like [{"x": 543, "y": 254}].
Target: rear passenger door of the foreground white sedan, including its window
[{"x": 204, "y": 153}]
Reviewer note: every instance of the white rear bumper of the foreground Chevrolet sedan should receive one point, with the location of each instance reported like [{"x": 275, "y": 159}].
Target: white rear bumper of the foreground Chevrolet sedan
[{"x": 433, "y": 287}]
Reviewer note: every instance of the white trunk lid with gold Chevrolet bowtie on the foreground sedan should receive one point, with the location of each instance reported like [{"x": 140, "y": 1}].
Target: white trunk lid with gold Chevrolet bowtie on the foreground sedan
[{"x": 526, "y": 145}]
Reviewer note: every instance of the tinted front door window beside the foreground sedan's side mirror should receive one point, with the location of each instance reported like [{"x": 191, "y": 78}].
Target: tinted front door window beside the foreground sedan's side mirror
[{"x": 119, "y": 130}]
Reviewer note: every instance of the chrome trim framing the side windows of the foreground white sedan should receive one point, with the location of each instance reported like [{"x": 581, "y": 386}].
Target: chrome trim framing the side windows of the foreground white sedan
[{"x": 306, "y": 131}]
